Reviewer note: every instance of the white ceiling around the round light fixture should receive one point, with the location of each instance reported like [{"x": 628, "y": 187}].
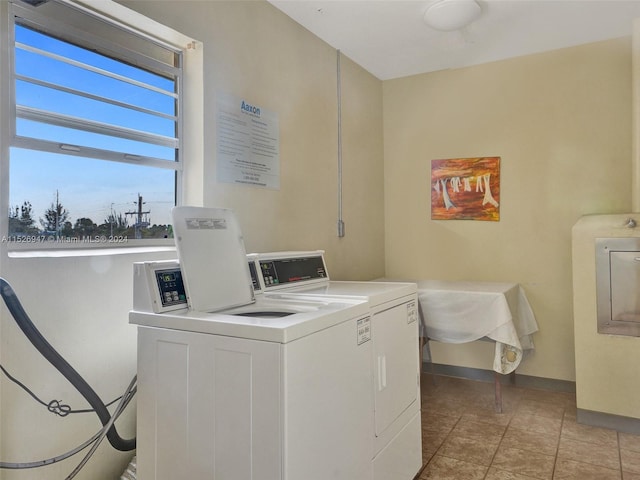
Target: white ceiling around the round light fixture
[{"x": 390, "y": 39}]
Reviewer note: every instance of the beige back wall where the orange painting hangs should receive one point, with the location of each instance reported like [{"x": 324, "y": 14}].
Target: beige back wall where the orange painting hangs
[{"x": 561, "y": 123}]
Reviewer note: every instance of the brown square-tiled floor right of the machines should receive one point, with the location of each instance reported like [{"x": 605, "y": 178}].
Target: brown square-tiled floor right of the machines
[{"x": 536, "y": 436}]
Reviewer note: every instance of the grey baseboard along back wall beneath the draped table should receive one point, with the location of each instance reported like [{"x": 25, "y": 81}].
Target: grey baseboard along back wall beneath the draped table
[{"x": 479, "y": 374}]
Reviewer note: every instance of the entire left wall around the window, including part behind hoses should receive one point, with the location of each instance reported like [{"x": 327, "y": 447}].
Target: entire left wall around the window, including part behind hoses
[{"x": 251, "y": 50}]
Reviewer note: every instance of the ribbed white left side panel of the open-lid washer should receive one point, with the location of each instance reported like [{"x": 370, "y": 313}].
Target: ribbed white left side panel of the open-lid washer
[{"x": 209, "y": 407}]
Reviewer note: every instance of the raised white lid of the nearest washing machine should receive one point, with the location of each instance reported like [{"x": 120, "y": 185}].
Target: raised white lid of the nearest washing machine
[{"x": 212, "y": 257}]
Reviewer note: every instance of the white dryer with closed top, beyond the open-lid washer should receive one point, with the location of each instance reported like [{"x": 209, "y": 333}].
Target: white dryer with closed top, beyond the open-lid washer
[{"x": 395, "y": 357}]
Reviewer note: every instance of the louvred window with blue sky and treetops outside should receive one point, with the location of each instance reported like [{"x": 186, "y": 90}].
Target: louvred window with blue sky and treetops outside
[{"x": 96, "y": 151}]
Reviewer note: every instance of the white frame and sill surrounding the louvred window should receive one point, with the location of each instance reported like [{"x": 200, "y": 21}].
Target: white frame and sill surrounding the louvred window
[{"x": 123, "y": 18}]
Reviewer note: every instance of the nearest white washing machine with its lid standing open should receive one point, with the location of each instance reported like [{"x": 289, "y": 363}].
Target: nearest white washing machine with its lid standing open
[{"x": 245, "y": 387}]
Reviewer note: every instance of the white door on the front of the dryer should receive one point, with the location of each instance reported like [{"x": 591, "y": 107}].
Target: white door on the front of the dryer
[{"x": 395, "y": 340}]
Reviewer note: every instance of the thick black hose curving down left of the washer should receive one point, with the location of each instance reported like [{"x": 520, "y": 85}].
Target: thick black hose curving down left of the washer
[{"x": 50, "y": 353}]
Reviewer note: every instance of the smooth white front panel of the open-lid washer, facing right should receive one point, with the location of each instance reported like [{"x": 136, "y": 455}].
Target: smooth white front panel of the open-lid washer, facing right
[{"x": 327, "y": 393}]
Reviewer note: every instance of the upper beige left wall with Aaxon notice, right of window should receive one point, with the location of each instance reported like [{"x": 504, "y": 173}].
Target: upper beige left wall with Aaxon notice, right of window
[{"x": 254, "y": 51}]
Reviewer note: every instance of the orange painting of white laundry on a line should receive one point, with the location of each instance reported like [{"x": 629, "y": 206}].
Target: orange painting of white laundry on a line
[{"x": 465, "y": 189}]
